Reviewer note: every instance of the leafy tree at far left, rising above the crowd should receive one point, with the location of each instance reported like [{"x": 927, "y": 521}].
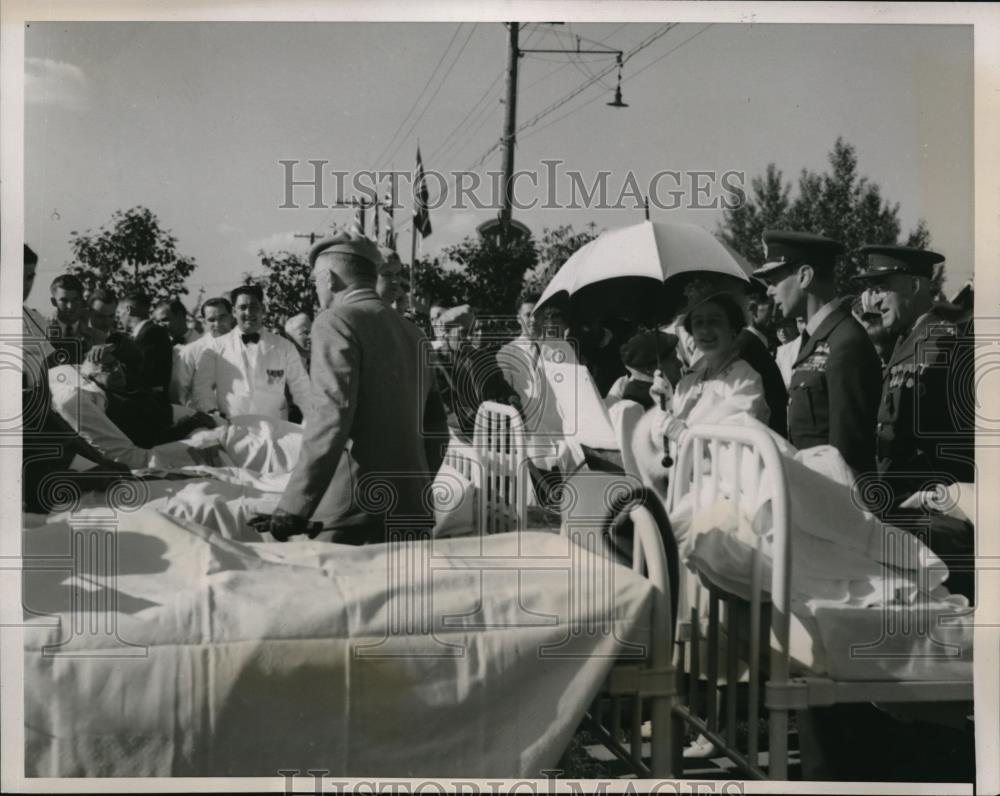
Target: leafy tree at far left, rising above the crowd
[{"x": 134, "y": 253}]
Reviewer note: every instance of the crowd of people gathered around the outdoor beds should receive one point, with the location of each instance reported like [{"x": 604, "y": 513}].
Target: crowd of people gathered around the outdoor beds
[{"x": 885, "y": 377}]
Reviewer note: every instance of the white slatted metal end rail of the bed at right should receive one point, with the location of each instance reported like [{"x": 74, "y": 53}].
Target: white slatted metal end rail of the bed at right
[{"x": 741, "y": 464}]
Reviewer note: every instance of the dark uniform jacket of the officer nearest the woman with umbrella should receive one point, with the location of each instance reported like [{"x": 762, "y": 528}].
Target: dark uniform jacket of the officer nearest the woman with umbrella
[{"x": 835, "y": 391}]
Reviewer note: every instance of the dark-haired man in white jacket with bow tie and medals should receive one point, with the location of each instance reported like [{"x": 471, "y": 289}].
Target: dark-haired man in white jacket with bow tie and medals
[{"x": 245, "y": 371}]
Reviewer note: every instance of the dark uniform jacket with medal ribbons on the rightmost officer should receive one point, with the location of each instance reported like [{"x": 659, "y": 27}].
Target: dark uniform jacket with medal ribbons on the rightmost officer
[{"x": 926, "y": 418}]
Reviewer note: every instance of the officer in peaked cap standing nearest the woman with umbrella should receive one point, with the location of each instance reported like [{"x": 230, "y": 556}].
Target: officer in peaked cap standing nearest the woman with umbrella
[{"x": 837, "y": 375}]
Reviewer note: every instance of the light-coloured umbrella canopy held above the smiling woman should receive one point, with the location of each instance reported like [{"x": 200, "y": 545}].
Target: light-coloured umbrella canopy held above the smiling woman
[{"x": 638, "y": 271}]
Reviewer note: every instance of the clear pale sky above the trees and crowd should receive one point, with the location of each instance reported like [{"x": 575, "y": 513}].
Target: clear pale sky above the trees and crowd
[{"x": 192, "y": 120}]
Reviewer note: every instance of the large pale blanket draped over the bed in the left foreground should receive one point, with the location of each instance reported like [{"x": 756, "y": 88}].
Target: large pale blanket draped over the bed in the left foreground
[{"x": 208, "y": 657}]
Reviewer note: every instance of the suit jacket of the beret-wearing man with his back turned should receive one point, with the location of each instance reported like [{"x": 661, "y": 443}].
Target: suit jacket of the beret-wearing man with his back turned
[{"x": 373, "y": 386}]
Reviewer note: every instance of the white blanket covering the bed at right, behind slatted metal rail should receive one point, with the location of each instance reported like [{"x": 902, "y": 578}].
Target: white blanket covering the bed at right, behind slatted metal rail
[{"x": 867, "y": 598}]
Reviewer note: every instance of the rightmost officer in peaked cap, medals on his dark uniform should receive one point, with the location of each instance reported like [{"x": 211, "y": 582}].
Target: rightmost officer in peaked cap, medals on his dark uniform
[{"x": 925, "y": 429}]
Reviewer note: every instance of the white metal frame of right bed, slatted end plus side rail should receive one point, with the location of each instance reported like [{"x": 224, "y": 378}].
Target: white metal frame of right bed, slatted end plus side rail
[{"x": 769, "y": 611}]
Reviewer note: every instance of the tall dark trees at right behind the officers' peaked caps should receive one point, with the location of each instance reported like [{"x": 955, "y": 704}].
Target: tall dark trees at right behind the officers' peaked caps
[{"x": 840, "y": 204}]
